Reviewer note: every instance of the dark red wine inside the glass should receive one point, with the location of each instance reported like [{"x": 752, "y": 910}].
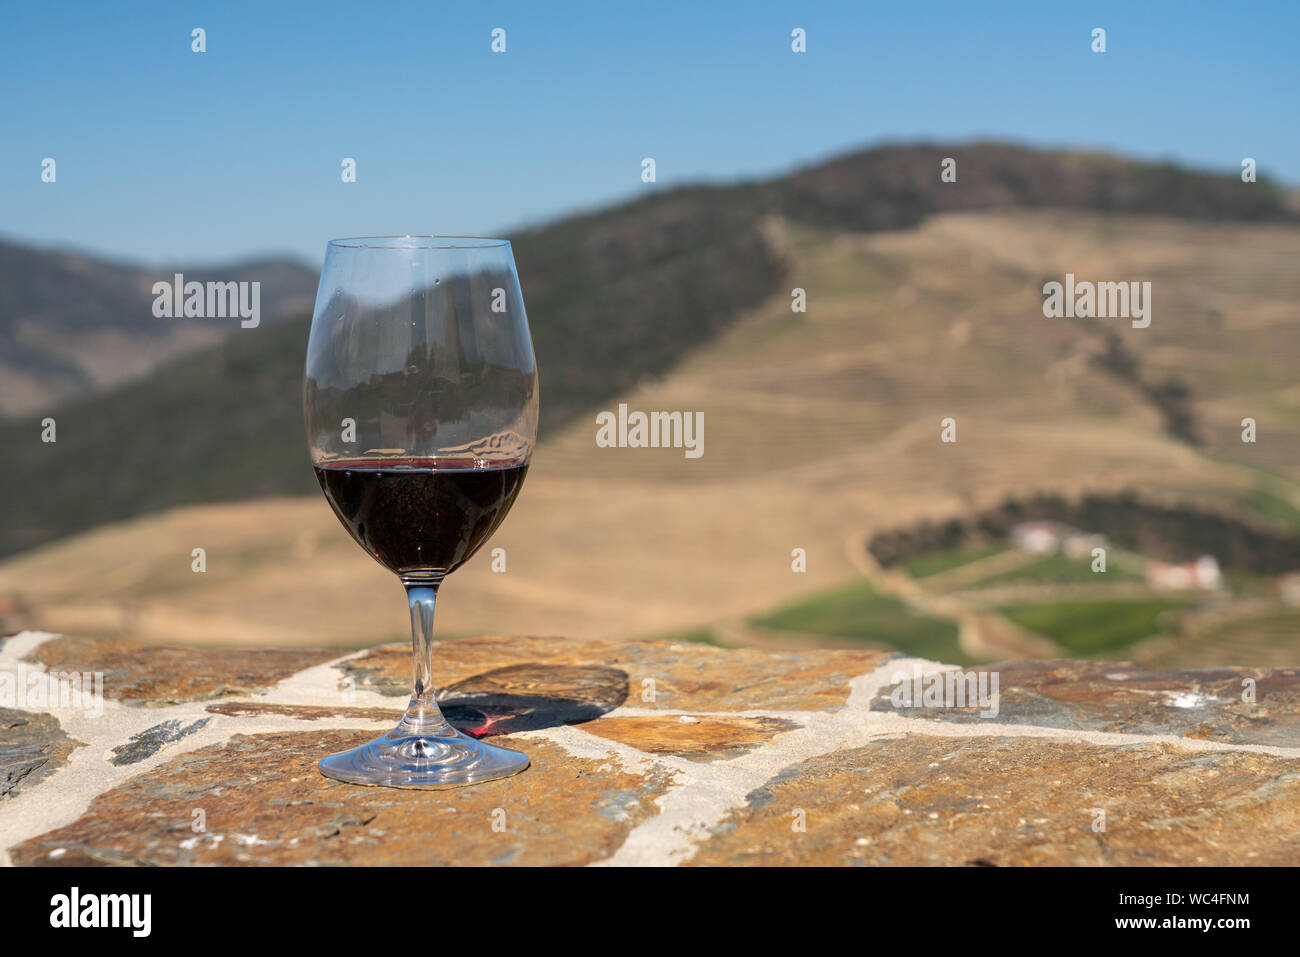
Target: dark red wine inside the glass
[{"x": 421, "y": 517}]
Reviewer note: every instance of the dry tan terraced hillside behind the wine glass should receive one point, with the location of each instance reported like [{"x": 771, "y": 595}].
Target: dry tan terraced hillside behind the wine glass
[{"x": 822, "y": 432}]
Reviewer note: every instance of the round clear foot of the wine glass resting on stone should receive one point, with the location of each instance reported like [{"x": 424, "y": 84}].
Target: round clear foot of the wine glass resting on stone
[{"x": 417, "y": 756}]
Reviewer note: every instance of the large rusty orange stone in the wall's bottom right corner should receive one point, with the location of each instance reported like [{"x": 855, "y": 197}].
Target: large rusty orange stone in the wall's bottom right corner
[{"x": 924, "y": 800}]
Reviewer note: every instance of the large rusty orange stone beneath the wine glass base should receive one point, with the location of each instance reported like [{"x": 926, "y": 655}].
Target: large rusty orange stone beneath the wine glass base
[{"x": 265, "y": 803}]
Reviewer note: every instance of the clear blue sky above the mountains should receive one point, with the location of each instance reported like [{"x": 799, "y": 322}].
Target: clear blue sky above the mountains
[{"x": 168, "y": 155}]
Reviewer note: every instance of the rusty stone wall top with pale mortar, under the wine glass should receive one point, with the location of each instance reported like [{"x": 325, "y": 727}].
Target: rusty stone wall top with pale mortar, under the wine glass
[{"x": 645, "y": 754}]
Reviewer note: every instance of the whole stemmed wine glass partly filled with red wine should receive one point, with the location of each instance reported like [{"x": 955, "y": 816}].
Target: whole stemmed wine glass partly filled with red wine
[{"x": 421, "y": 400}]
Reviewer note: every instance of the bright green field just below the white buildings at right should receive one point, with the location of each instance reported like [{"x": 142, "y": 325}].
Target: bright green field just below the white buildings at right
[{"x": 1095, "y": 627}]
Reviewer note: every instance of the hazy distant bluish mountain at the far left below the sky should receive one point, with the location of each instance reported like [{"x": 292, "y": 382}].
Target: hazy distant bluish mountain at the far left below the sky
[{"x": 73, "y": 326}]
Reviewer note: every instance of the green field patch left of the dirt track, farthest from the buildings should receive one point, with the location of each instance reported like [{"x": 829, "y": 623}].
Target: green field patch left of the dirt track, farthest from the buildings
[{"x": 857, "y": 612}]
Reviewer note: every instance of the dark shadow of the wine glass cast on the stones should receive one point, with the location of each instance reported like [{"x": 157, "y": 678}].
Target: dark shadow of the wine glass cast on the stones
[{"x": 527, "y": 698}]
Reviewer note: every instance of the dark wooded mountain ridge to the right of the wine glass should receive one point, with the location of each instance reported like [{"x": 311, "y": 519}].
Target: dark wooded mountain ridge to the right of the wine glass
[{"x": 623, "y": 293}]
